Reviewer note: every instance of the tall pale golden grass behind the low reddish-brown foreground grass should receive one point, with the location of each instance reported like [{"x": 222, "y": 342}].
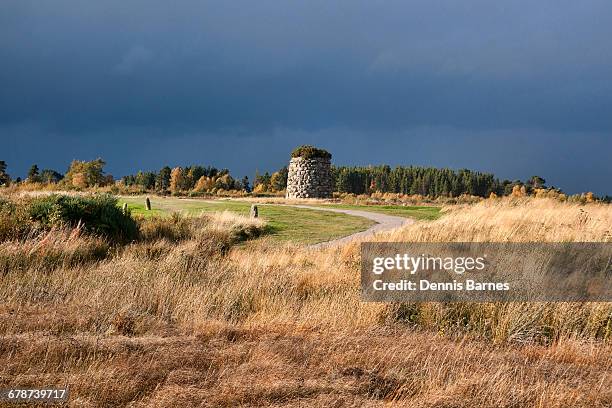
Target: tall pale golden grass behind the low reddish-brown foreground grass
[{"x": 182, "y": 273}]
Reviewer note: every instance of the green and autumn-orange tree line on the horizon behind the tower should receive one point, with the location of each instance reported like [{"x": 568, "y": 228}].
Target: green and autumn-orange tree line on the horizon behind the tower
[{"x": 408, "y": 180}]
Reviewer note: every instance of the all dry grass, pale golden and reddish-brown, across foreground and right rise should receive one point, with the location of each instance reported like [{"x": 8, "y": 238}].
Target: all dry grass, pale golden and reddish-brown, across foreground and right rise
[{"x": 196, "y": 321}]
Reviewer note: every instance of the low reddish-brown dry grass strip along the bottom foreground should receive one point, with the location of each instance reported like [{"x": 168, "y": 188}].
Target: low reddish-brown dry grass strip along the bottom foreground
[{"x": 280, "y": 366}]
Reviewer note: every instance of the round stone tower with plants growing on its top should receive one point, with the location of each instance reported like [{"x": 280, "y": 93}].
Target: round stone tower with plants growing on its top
[{"x": 309, "y": 173}]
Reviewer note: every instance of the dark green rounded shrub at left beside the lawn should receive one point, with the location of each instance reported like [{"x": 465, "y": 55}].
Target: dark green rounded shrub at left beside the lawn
[{"x": 97, "y": 214}]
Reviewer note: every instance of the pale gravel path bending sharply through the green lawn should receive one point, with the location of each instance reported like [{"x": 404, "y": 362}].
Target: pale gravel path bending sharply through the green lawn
[{"x": 384, "y": 222}]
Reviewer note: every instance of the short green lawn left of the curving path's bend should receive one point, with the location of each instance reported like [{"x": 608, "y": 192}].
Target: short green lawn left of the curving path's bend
[{"x": 284, "y": 223}]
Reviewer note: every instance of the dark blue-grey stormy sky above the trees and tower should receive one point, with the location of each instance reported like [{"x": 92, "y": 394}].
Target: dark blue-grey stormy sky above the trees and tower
[{"x": 512, "y": 87}]
